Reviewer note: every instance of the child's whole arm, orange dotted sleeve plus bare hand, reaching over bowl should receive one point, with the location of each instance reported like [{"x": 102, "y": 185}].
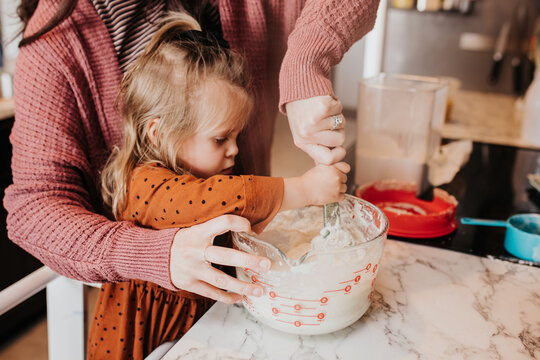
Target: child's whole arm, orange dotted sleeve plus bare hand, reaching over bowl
[{"x": 159, "y": 198}]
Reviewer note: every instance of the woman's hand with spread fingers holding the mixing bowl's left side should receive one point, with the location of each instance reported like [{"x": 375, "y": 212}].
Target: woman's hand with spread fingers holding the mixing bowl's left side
[{"x": 192, "y": 252}]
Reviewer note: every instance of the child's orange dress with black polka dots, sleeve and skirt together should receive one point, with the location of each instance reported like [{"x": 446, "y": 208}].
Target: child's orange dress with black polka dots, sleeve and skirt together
[{"x": 133, "y": 318}]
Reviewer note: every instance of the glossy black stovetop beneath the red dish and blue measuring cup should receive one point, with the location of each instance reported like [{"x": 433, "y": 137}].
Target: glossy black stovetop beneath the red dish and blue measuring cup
[{"x": 491, "y": 185}]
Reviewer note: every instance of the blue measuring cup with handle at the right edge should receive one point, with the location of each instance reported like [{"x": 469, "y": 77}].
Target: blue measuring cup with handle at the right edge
[{"x": 522, "y": 238}]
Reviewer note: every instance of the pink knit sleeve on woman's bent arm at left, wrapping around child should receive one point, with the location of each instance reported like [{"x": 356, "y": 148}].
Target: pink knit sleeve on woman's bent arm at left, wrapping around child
[{"x": 52, "y": 203}]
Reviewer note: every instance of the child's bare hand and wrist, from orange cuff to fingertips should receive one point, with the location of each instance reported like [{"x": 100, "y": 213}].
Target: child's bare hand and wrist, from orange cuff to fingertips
[{"x": 321, "y": 185}]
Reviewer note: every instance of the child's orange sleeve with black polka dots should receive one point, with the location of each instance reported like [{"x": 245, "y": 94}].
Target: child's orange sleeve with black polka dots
[{"x": 159, "y": 198}]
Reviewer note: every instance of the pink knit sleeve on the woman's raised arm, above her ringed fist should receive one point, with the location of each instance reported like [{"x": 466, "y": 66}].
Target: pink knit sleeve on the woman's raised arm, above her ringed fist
[{"x": 325, "y": 30}]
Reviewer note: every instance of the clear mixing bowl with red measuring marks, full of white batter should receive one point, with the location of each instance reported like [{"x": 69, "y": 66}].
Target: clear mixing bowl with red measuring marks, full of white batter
[{"x": 322, "y": 288}]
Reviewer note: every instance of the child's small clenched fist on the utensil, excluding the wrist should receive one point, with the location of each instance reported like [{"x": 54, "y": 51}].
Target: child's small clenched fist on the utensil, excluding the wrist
[{"x": 325, "y": 184}]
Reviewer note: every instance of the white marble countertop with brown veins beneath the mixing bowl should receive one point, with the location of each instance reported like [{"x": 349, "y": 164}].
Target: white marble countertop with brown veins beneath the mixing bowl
[{"x": 429, "y": 303}]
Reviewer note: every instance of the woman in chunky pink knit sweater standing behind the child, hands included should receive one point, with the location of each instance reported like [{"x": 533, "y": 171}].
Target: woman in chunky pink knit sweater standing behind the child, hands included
[{"x": 66, "y": 80}]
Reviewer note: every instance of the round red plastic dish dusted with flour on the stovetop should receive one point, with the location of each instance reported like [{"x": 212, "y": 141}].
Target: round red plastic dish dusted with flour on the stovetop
[{"x": 409, "y": 216}]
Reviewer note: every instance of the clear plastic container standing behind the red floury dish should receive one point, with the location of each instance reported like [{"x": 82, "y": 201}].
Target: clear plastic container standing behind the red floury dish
[{"x": 398, "y": 127}]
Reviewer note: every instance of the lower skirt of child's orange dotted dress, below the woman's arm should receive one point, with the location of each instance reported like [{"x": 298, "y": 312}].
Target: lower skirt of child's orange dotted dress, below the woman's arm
[{"x": 137, "y": 330}]
